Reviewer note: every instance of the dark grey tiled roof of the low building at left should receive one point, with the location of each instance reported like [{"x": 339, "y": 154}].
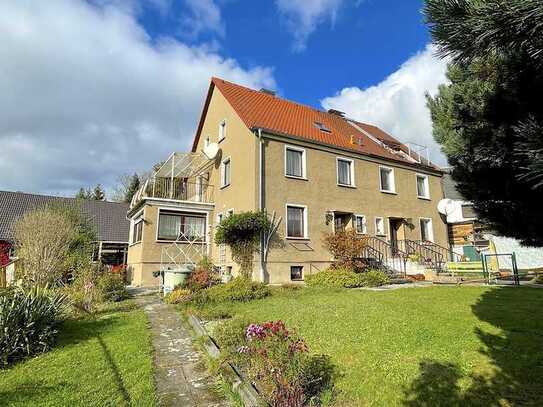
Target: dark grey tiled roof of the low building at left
[{"x": 109, "y": 218}]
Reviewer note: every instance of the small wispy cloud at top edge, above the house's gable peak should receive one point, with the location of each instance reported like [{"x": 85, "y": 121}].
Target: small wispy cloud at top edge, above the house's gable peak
[{"x": 205, "y": 16}]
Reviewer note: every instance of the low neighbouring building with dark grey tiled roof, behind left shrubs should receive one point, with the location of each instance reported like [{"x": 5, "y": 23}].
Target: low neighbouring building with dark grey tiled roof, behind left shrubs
[{"x": 108, "y": 218}]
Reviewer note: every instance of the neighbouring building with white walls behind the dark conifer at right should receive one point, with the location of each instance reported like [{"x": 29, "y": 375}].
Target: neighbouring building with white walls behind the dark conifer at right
[{"x": 470, "y": 237}]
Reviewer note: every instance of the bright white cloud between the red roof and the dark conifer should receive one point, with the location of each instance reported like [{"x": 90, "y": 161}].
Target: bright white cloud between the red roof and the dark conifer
[{"x": 398, "y": 103}]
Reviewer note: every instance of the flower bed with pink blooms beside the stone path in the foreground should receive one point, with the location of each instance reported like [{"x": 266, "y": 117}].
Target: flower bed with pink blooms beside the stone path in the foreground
[{"x": 277, "y": 360}]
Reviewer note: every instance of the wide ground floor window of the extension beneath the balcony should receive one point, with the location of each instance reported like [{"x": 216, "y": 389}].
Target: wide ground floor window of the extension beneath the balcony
[{"x": 181, "y": 226}]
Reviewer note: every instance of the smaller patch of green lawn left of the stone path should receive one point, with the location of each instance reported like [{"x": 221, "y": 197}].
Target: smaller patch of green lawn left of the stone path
[{"x": 102, "y": 362}]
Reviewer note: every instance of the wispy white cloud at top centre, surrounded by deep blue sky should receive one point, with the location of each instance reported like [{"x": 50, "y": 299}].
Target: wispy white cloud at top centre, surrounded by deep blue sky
[{"x": 303, "y": 16}]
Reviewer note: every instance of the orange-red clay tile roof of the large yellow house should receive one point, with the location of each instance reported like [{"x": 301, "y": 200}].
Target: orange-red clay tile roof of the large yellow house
[{"x": 276, "y": 115}]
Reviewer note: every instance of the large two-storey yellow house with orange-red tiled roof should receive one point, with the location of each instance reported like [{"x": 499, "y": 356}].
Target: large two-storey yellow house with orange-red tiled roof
[{"x": 319, "y": 171}]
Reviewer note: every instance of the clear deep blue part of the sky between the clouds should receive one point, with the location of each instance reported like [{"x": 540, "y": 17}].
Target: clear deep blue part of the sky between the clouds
[{"x": 367, "y": 41}]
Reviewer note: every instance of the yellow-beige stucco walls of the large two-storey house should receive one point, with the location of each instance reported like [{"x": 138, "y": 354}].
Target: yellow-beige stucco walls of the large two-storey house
[{"x": 319, "y": 193}]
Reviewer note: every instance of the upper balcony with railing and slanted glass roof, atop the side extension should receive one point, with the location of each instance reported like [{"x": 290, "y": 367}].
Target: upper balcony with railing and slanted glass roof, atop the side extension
[{"x": 183, "y": 177}]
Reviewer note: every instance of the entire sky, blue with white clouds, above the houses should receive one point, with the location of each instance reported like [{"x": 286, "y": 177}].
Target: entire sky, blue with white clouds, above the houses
[{"x": 94, "y": 89}]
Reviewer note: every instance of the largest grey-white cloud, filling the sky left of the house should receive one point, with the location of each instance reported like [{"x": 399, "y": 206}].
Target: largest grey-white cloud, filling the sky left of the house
[{"x": 85, "y": 94}]
